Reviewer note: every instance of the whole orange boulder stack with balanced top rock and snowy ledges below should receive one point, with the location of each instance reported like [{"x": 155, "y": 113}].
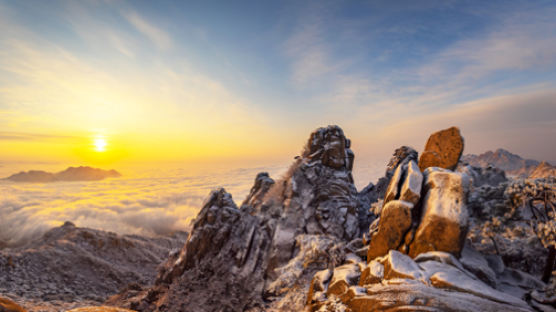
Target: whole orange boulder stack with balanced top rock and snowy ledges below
[{"x": 417, "y": 259}]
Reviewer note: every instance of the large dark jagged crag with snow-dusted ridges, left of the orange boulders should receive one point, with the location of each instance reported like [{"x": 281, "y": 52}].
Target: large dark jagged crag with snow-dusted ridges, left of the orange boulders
[{"x": 252, "y": 257}]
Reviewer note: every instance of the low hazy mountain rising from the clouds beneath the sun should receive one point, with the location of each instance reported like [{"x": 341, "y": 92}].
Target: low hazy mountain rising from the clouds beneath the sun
[{"x": 81, "y": 173}]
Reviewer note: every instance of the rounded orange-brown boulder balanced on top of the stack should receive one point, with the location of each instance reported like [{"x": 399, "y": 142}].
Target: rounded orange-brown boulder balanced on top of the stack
[{"x": 443, "y": 149}]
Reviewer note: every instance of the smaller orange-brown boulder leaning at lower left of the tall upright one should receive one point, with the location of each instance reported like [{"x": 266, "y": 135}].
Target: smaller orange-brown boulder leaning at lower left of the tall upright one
[{"x": 394, "y": 222}]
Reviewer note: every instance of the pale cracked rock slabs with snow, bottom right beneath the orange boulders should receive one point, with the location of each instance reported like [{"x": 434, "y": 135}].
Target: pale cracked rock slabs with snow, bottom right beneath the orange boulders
[{"x": 437, "y": 282}]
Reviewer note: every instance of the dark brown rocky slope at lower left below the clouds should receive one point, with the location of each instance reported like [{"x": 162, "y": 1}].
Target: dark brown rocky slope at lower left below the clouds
[{"x": 71, "y": 264}]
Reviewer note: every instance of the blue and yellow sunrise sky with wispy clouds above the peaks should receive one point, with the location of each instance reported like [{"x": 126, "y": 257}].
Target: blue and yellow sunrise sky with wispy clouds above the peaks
[{"x": 112, "y": 82}]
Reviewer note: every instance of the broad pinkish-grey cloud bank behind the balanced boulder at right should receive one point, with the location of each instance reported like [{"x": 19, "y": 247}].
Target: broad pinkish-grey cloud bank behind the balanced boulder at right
[{"x": 522, "y": 122}]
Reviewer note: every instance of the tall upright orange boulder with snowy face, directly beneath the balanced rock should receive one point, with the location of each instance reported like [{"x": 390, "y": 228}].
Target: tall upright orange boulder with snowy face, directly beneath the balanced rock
[{"x": 444, "y": 221}]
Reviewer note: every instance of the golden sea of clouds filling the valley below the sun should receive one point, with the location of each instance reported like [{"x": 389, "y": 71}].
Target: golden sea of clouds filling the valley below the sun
[{"x": 145, "y": 201}]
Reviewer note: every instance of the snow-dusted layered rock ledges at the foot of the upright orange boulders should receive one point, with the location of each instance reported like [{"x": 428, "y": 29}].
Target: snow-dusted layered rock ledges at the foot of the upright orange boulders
[{"x": 433, "y": 281}]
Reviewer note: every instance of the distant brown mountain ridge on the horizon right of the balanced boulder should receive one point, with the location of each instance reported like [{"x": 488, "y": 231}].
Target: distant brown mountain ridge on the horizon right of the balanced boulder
[{"x": 512, "y": 164}]
